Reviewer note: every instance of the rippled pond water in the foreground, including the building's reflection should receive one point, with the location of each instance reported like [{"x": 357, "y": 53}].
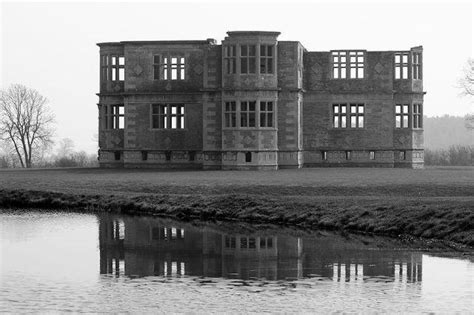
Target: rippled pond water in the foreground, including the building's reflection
[{"x": 55, "y": 262}]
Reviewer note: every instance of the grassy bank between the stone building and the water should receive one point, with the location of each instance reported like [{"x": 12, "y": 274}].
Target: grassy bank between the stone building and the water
[{"x": 431, "y": 203}]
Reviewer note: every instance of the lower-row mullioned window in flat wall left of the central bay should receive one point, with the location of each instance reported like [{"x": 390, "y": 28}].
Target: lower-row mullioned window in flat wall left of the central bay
[{"x": 167, "y": 116}]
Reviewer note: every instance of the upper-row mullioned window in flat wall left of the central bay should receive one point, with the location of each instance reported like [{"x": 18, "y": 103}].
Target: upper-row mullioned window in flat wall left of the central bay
[{"x": 169, "y": 67}]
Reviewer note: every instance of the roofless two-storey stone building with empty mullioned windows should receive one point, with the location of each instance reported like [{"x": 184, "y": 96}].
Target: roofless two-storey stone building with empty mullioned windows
[{"x": 254, "y": 102}]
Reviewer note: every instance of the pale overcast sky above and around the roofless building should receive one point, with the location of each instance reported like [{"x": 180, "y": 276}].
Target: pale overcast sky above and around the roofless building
[{"x": 51, "y": 46}]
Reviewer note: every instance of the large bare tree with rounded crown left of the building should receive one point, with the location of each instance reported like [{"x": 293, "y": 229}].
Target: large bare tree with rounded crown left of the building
[{"x": 25, "y": 121}]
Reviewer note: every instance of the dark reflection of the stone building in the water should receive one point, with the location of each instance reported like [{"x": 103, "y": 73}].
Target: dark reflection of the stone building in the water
[{"x": 137, "y": 246}]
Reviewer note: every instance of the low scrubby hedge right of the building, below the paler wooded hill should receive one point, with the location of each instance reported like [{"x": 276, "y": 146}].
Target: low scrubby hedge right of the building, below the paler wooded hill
[{"x": 455, "y": 155}]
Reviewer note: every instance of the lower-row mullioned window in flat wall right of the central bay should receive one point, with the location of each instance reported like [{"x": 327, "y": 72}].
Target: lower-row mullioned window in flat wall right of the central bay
[{"x": 342, "y": 113}]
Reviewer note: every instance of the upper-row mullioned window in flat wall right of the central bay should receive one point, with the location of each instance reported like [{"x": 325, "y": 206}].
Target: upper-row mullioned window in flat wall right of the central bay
[{"x": 348, "y": 64}]
